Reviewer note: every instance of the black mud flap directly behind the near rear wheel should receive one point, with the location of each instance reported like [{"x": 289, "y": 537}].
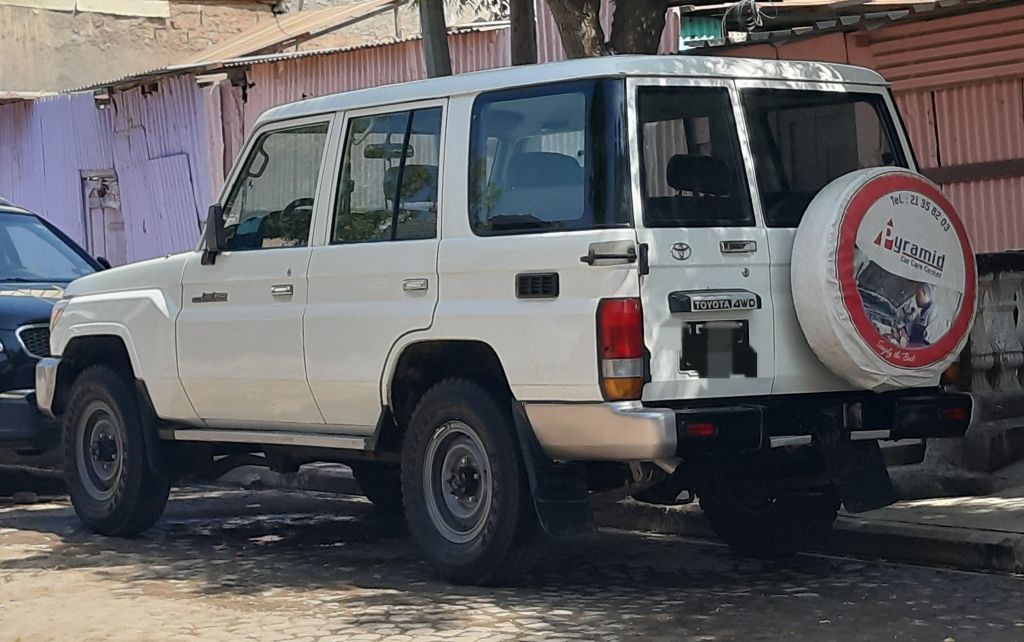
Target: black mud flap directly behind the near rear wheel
[{"x": 560, "y": 491}]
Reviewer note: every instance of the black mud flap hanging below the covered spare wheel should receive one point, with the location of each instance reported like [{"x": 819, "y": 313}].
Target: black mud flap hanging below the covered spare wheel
[{"x": 860, "y": 474}]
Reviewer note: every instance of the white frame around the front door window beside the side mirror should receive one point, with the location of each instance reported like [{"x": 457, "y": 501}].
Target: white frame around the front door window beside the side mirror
[{"x": 234, "y": 180}]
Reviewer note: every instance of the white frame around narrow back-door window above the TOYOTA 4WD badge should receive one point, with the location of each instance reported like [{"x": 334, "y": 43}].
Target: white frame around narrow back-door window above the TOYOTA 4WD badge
[{"x": 740, "y": 142}]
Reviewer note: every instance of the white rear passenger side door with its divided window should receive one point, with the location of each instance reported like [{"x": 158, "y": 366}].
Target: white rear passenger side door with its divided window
[{"x": 375, "y": 280}]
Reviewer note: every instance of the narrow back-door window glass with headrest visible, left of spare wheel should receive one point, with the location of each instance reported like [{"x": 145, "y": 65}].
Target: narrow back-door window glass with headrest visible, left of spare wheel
[{"x": 693, "y": 166}]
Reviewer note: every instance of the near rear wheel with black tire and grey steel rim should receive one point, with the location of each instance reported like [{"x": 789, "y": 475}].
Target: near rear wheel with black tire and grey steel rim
[{"x": 460, "y": 423}]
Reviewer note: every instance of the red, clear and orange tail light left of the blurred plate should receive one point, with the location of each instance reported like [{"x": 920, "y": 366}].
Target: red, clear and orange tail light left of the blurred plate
[{"x": 621, "y": 351}]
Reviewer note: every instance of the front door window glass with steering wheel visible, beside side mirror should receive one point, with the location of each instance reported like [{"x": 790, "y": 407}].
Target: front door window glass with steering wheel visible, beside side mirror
[{"x": 272, "y": 202}]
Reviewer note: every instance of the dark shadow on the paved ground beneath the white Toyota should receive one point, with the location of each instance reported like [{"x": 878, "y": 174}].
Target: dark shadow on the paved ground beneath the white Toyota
[{"x": 248, "y": 542}]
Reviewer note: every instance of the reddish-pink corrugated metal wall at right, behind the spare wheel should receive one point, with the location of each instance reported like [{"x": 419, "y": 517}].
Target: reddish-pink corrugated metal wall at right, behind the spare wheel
[{"x": 960, "y": 85}]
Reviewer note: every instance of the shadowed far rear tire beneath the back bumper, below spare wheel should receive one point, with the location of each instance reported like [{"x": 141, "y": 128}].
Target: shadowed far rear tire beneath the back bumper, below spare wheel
[{"x": 773, "y": 527}]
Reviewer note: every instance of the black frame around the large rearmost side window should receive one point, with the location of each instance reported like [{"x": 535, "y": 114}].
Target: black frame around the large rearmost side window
[{"x": 598, "y": 92}]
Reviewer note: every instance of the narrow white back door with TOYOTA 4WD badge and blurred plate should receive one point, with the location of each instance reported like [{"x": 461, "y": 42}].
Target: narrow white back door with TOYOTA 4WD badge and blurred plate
[{"x": 707, "y": 299}]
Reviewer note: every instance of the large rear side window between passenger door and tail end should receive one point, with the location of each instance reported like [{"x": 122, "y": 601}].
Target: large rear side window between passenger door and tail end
[{"x": 548, "y": 158}]
